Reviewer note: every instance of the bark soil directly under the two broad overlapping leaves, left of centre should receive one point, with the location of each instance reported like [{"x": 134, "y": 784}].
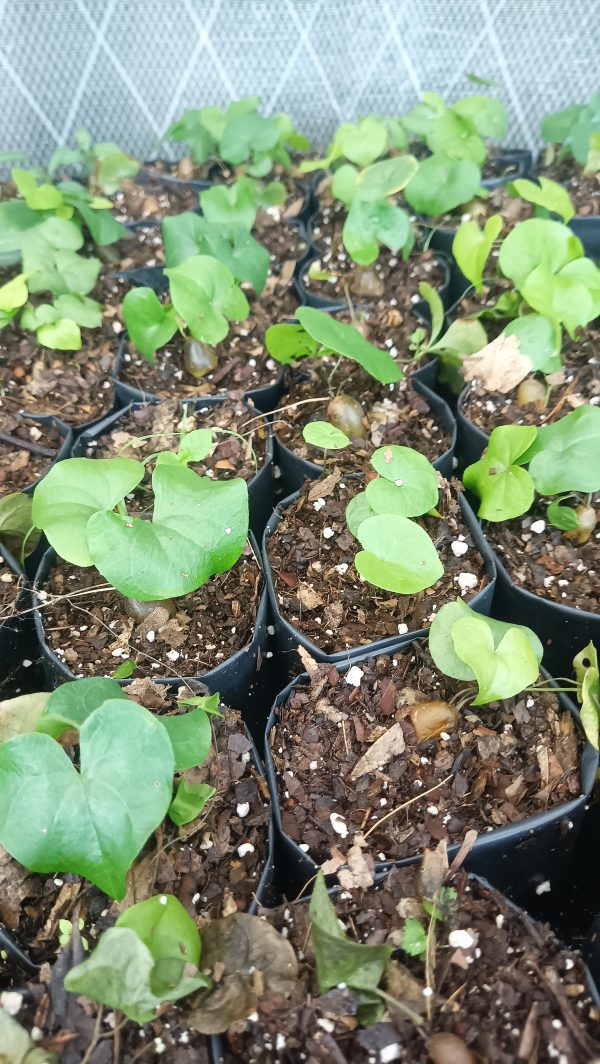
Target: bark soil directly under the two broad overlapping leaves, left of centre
[{"x": 92, "y": 634}]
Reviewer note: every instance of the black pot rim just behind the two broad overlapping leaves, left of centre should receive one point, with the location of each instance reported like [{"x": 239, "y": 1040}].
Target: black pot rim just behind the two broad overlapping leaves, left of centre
[{"x": 260, "y": 488}]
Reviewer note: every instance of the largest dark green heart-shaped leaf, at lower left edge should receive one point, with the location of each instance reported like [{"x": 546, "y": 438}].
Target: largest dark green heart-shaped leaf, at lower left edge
[{"x": 92, "y": 823}]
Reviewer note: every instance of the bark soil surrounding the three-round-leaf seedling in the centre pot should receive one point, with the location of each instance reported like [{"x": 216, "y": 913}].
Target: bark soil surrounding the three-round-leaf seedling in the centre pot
[{"x": 319, "y": 590}]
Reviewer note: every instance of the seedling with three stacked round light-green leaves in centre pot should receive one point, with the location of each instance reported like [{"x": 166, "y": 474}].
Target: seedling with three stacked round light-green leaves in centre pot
[{"x": 398, "y": 555}]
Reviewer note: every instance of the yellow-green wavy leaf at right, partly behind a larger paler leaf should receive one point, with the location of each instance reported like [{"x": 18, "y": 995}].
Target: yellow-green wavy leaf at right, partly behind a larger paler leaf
[{"x": 505, "y": 488}]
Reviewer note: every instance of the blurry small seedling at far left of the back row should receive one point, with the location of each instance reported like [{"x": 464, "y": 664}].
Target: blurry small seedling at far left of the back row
[{"x": 104, "y": 167}]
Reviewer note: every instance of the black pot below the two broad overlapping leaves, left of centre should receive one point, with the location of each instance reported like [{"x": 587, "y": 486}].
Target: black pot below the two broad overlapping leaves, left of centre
[{"x": 236, "y": 679}]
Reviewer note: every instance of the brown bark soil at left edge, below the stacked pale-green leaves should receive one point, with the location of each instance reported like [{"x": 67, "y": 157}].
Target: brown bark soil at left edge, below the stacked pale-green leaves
[{"x": 75, "y": 386}]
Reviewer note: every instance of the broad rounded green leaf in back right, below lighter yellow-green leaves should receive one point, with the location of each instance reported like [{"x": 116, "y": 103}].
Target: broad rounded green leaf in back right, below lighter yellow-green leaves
[{"x": 443, "y": 185}]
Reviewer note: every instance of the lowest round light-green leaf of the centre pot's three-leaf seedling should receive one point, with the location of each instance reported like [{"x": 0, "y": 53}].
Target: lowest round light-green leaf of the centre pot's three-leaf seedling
[{"x": 397, "y": 556}]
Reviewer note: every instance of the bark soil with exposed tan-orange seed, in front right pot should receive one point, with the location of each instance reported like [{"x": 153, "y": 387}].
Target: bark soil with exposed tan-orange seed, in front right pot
[{"x": 347, "y": 755}]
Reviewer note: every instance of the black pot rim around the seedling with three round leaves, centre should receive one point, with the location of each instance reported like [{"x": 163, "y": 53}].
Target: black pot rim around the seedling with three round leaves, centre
[{"x": 289, "y": 639}]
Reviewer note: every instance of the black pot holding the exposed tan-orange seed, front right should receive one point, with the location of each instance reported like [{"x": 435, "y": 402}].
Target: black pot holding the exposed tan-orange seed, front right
[{"x": 525, "y": 860}]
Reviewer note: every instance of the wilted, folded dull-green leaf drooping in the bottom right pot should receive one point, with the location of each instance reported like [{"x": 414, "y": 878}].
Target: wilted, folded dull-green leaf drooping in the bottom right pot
[{"x": 339, "y": 960}]
